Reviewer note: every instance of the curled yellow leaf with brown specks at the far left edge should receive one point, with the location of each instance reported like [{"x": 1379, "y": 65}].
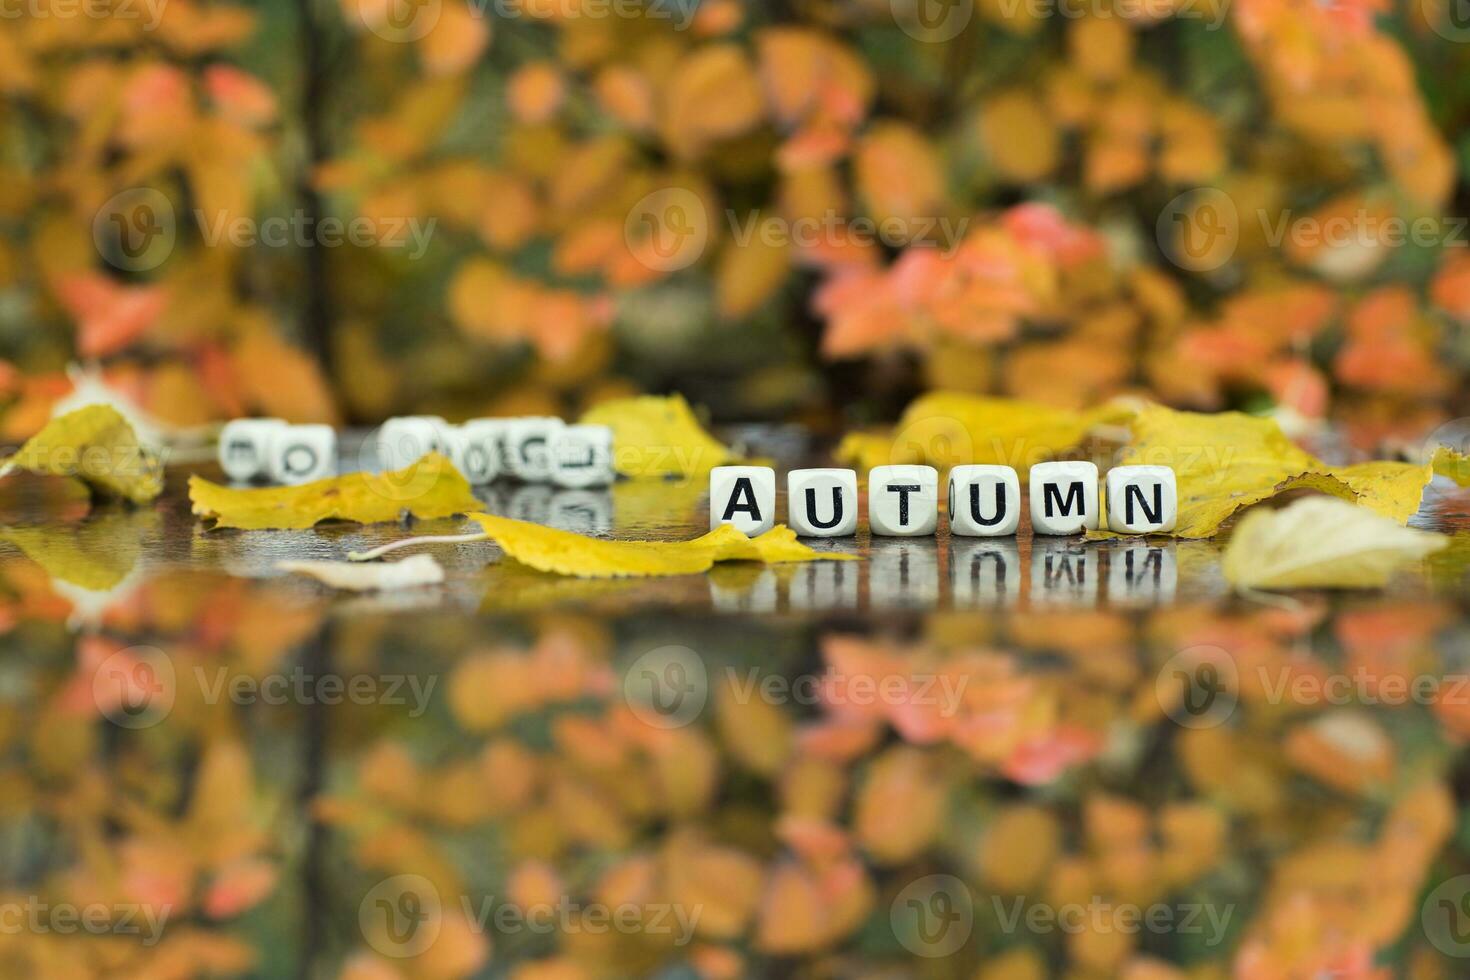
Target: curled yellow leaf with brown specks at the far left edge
[{"x": 96, "y": 446}]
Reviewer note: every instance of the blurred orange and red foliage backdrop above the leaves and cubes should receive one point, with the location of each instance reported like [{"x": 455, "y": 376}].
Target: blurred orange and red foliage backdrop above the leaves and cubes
[{"x": 790, "y": 212}]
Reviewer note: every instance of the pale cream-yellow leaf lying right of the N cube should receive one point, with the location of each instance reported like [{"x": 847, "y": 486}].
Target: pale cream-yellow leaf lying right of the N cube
[{"x": 1322, "y": 543}]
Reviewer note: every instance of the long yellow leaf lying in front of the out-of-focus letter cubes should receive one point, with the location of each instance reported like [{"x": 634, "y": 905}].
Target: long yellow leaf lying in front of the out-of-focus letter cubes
[{"x": 427, "y": 490}]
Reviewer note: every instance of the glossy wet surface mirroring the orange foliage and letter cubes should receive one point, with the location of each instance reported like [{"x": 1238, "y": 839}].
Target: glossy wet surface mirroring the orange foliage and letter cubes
[{"x": 956, "y": 759}]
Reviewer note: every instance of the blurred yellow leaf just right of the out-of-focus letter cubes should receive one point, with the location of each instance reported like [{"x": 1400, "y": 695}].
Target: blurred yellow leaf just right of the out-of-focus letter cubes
[{"x": 658, "y": 437}]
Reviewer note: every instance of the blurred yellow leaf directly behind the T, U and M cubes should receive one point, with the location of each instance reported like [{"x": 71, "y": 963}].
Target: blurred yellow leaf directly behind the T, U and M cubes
[{"x": 947, "y": 428}]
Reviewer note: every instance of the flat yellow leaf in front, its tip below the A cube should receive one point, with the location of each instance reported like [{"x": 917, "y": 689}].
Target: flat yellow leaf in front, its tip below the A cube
[{"x": 565, "y": 553}]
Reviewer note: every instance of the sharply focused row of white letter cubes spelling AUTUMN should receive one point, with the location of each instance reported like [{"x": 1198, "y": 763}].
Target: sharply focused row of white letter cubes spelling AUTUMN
[{"x": 903, "y": 502}]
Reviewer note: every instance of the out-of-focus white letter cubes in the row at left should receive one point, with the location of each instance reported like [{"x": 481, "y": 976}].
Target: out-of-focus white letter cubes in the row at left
[{"x": 536, "y": 450}]
